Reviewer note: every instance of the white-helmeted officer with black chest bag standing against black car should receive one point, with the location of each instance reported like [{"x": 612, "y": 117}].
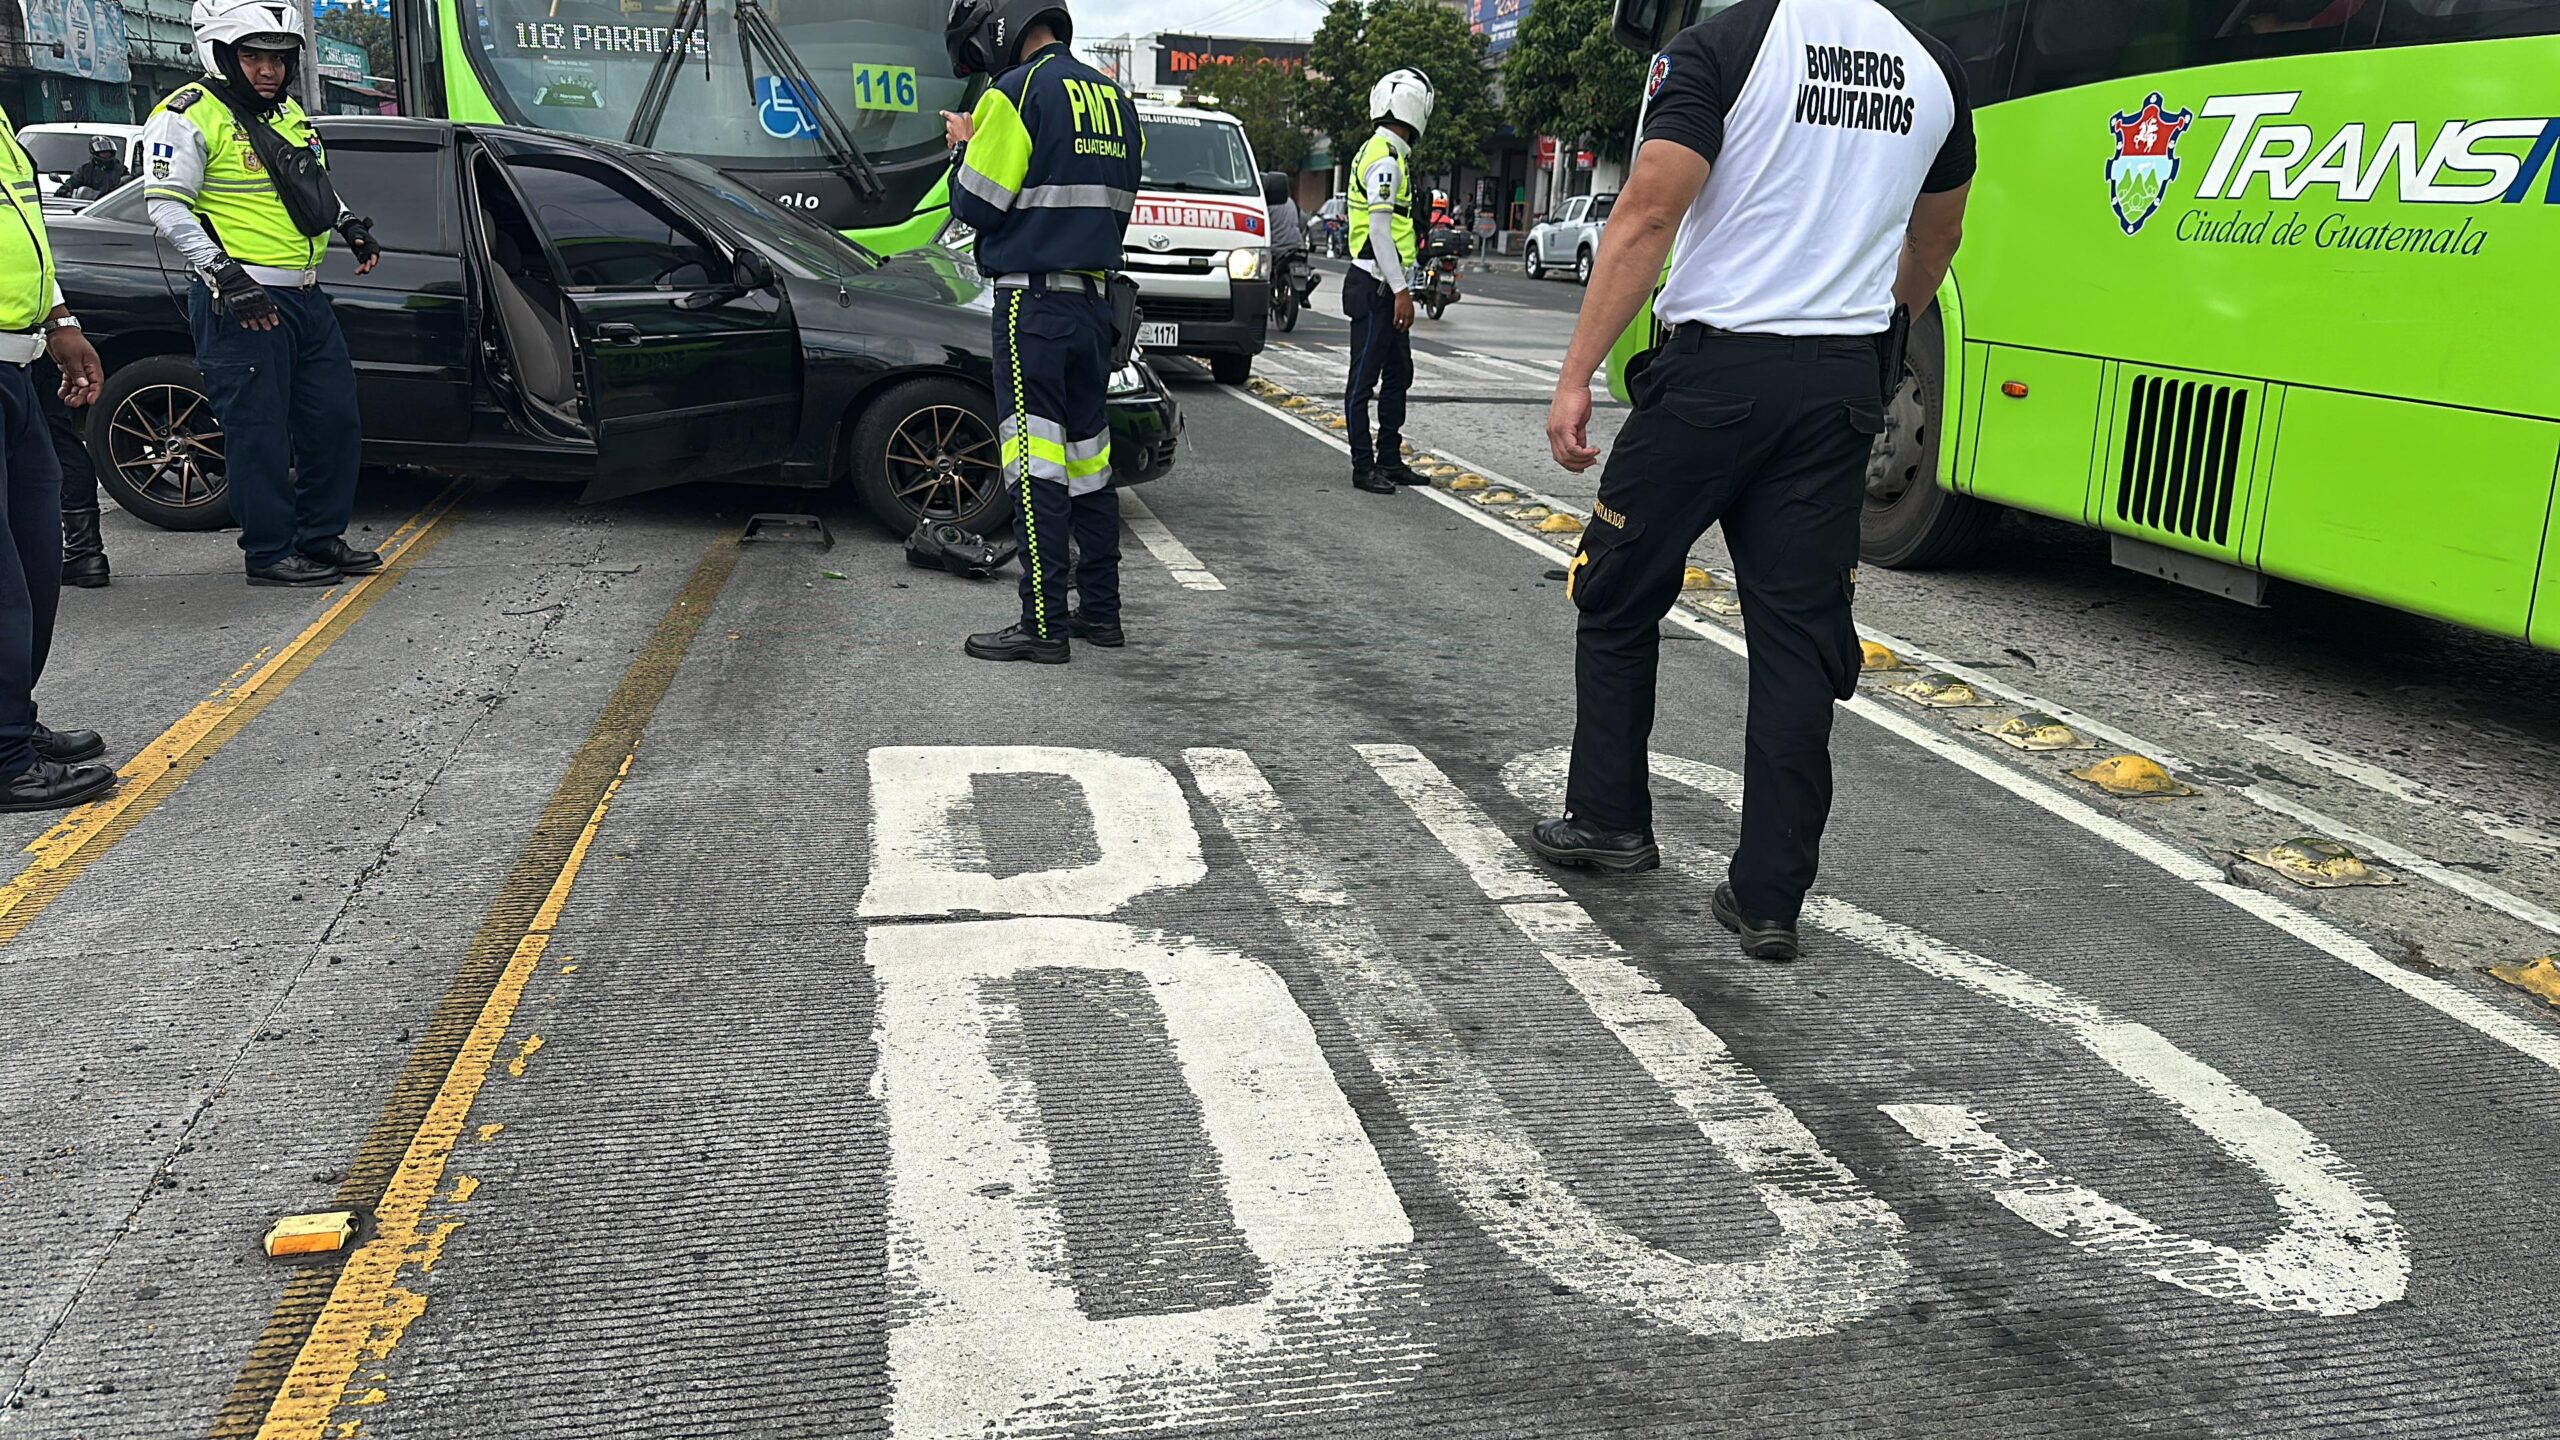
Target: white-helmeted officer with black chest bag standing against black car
[{"x": 237, "y": 183}]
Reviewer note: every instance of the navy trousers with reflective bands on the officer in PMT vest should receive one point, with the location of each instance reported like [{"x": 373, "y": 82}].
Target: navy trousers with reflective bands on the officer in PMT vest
[{"x": 1053, "y": 386}]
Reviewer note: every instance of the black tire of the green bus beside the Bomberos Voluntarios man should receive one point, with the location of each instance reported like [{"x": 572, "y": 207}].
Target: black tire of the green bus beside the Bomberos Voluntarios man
[{"x": 1906, "y": 519}]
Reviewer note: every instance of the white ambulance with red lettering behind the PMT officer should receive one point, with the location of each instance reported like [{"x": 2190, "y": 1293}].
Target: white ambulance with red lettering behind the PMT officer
[{"x": 1202, "y": 242}]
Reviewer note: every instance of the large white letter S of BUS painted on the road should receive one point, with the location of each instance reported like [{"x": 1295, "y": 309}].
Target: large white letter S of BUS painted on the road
[{"x": 2341, "y": 1249}]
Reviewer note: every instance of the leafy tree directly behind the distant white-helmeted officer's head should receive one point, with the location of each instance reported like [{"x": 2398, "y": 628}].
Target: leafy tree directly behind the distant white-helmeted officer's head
[{"x": 1363, "y": 40}]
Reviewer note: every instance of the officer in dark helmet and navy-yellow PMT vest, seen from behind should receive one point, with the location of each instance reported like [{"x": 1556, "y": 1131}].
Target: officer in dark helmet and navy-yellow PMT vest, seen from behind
[{"x": 1048, "y": 178}]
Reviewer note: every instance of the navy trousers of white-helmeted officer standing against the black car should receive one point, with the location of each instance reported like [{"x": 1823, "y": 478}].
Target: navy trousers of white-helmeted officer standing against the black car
[{"x": 291, "y": 432}]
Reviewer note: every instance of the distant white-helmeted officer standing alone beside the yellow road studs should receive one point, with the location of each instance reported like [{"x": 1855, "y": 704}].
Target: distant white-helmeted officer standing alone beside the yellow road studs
[{"x": 1379, "y": 293}]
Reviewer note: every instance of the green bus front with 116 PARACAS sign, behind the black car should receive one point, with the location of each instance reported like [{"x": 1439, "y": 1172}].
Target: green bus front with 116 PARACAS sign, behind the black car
[{"x": 823, "y": 106}]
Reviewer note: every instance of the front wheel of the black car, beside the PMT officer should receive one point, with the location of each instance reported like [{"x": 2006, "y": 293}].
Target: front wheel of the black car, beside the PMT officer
[{"x": 928, "y": 450}]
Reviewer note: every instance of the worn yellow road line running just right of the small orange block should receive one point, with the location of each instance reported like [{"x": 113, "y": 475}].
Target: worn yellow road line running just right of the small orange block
[{"x": 329, "y": 1326}]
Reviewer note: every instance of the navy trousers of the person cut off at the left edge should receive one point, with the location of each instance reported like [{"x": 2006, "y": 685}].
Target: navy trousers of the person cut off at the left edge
[{"x": 29, "y": 562}]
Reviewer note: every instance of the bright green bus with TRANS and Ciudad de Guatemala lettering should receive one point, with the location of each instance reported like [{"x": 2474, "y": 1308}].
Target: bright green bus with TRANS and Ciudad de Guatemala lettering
[{"x": 2262, "y": 288}]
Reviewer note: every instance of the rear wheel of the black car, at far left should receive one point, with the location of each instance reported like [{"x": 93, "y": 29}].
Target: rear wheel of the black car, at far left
[{"x": 157, "y": 447}]
